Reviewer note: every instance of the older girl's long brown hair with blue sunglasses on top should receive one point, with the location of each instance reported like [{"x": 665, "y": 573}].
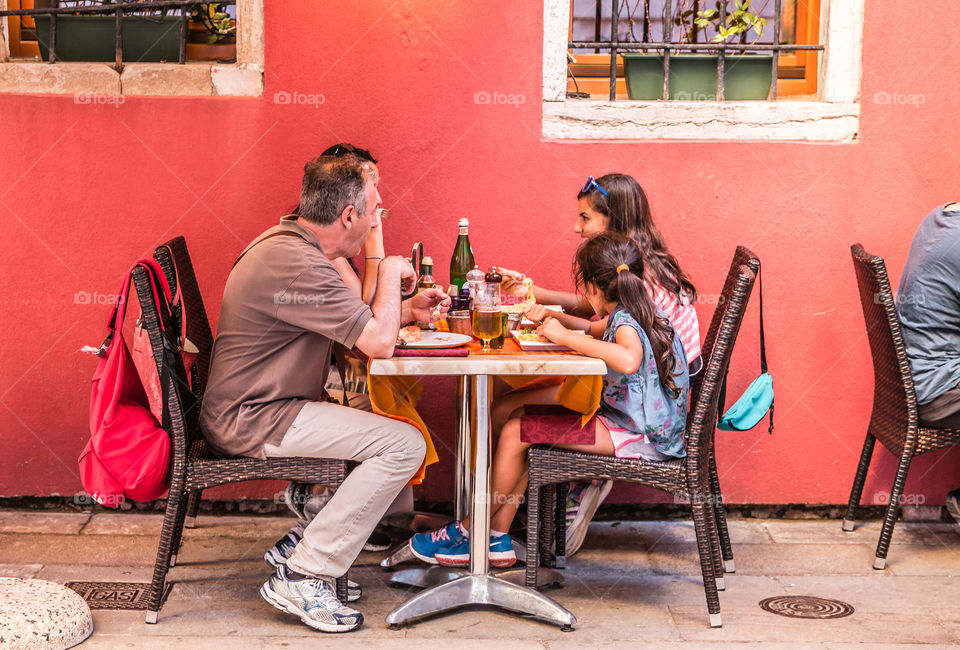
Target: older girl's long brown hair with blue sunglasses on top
[{"x": 628, "y": 212}]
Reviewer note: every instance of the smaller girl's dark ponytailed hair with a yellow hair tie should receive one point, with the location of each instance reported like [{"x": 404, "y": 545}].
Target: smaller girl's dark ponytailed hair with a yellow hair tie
[{"x": 596, "y": 263}]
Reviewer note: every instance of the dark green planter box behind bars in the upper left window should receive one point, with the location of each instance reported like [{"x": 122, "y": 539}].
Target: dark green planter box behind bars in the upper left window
[{"x": 92, "y": 38}]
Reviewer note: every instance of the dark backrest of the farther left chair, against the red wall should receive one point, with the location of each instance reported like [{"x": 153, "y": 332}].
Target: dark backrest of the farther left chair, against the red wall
[{"x": 174, "y": 259}]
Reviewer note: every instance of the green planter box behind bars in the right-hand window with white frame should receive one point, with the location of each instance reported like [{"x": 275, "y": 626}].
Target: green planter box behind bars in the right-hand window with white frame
[{"x": 694, "y": 76}]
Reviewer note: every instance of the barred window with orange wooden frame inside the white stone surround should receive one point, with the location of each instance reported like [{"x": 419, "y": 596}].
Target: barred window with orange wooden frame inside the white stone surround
[{"x": 708, "y": 51}]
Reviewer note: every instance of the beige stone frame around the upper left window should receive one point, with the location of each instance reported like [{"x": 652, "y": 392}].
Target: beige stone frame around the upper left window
[{"x": 198, "y": 78}]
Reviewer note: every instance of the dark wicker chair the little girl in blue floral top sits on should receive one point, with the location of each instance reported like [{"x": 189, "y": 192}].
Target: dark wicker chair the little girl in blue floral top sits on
[{"x": 689, "y": 478}]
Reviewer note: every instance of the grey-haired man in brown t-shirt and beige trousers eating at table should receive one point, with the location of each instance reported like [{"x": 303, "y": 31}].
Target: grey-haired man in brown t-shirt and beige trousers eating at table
[{"x": 284, "y": 306}]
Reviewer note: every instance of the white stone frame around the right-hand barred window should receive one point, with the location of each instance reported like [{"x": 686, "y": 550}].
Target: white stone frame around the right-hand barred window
[{"x": 834, "y": 116}]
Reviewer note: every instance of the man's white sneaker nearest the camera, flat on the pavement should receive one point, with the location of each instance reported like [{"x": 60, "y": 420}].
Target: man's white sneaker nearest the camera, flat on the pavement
[{"x": 314, "y": 600}]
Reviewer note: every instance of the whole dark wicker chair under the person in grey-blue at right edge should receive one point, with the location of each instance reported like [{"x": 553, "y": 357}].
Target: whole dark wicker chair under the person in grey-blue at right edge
[{"x": 894, "y": 421}]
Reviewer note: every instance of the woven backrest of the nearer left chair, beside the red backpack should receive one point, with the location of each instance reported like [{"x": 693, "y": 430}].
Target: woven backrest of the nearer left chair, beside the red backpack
[{"x": 183, "y": 416}]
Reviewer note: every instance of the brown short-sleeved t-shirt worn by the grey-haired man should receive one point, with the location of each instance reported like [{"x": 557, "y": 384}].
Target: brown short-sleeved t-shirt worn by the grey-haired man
[{"x": 283, "y": 305}]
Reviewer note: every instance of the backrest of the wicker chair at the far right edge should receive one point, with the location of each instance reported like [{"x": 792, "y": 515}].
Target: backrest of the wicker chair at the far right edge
[{"x": 894, "y": 399}]
